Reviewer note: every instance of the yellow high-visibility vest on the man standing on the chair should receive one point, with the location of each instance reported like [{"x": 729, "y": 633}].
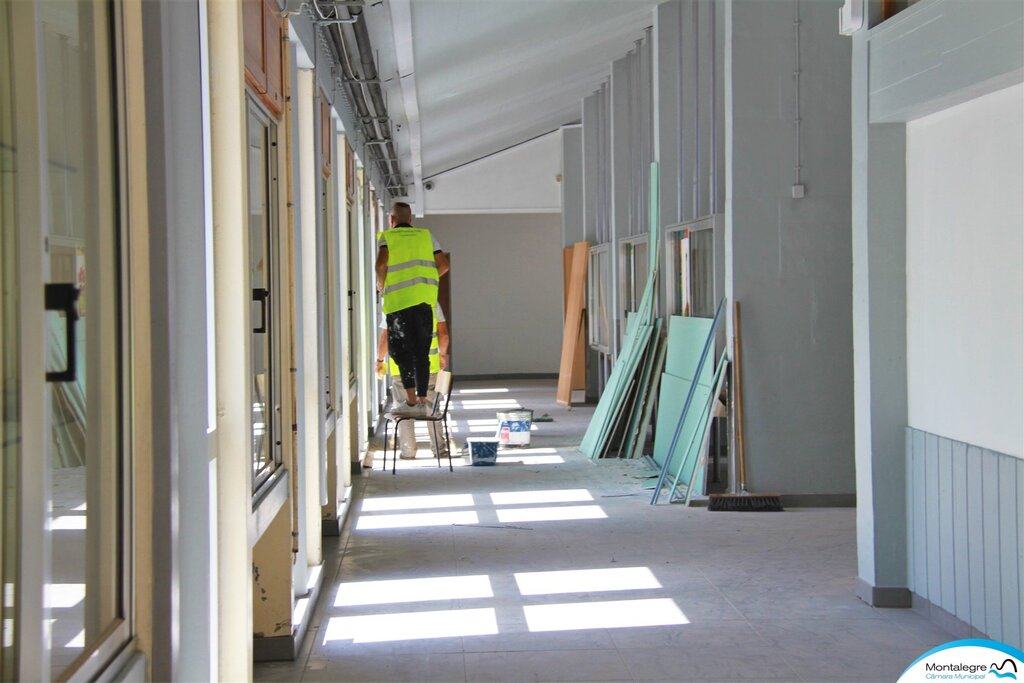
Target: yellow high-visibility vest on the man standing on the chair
[{"x": 412, "y": 272}]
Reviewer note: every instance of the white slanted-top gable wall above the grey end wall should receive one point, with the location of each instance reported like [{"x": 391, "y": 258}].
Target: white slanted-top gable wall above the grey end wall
[{"x": 522, "y": 180}]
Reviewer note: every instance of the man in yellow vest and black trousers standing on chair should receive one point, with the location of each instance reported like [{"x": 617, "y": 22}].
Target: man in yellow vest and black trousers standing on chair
[{"x": 410, "y": 264}]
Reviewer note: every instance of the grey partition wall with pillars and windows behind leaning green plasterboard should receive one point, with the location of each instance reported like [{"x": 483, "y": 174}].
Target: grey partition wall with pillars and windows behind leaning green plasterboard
[{"x": 741, "y": 107}]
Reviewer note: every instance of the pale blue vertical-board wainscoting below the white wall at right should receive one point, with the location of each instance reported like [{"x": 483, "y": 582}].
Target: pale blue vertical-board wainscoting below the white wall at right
[{"x": 966, "y": 533}]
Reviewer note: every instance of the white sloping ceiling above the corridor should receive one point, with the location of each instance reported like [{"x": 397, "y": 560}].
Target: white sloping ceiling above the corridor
[{"x": 492, "y": 74}]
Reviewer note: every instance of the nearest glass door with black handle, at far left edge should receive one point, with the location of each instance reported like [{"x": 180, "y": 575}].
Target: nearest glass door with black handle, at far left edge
[{"x": 63, "y": 321}]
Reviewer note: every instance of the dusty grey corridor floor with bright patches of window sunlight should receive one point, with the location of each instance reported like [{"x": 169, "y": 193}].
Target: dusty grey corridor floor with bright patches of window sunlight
[{"x": 551, "y": 568}]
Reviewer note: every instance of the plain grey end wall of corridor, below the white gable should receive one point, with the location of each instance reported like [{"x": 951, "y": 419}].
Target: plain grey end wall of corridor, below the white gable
[{"x": 506, "y": 291}]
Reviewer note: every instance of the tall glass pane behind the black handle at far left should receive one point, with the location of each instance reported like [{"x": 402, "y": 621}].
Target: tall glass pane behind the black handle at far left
[{"x": 84, "y": 451}]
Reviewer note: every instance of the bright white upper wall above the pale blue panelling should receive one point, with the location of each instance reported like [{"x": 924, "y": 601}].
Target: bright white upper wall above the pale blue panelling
[{"x": 965, "y": 272}]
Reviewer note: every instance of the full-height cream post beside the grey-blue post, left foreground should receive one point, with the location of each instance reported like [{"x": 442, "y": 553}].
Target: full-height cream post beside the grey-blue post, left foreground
[{"x": 232, "y": 285}]
